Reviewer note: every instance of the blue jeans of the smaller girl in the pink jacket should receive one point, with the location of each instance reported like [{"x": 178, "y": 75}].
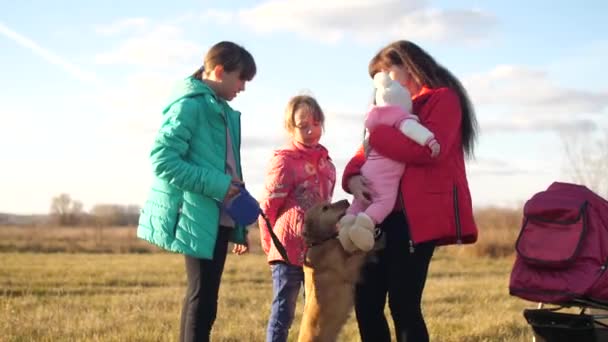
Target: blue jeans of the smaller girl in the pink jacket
[{"x": 286, "y": 283}]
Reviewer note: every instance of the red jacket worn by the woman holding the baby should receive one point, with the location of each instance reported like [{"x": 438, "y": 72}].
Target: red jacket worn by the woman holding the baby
[{"x": 434, "y": 191}]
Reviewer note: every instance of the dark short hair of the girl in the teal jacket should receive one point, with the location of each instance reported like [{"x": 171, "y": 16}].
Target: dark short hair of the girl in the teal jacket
[{"x": 232, "y": 57}]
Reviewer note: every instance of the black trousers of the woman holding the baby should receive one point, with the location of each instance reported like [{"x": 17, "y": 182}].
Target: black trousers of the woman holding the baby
[{"x": 399, "y": 274}]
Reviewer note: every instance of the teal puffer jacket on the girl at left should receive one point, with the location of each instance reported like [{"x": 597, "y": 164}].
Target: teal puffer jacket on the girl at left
[{"x": 189, "y": 161}]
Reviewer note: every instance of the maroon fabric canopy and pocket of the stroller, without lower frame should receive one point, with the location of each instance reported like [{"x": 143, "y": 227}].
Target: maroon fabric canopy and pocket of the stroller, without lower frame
[{"x": 562, "y": 248}]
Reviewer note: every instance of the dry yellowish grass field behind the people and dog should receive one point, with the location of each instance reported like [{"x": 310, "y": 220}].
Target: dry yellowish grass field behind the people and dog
[{"x": 137, "y": 297}]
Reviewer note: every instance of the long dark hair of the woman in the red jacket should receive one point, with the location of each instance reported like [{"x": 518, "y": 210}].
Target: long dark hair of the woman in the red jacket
[{"x": 426, "y": 72}]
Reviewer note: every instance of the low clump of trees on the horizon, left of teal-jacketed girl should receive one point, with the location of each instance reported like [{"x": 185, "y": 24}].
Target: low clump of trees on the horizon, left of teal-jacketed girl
[{"x": 66, "y": 211}]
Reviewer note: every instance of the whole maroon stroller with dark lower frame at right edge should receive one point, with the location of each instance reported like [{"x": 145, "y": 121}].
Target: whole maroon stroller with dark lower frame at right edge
[{"x": 562, "y": 256}]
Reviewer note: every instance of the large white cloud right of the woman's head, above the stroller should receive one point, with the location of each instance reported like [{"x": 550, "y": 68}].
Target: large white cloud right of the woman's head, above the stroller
[{"x": 529, "y": 100}]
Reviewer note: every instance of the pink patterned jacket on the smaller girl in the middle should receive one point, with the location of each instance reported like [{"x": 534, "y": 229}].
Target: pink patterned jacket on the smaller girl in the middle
[{"x": 298, "y": 177}]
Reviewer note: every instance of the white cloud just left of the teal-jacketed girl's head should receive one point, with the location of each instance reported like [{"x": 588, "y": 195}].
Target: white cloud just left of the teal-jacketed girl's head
[{"x": 156, "y": 46}]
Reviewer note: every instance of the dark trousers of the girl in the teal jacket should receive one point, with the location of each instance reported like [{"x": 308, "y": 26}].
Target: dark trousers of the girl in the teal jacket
[{"x": 200, "y": 303}]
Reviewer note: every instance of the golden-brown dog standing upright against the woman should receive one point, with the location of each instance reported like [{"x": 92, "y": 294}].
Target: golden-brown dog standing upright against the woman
[{"x": 330, "y": 275}]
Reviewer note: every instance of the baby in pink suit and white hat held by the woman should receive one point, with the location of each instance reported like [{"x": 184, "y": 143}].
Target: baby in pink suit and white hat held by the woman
[{"x": 356, "y": 228}]
